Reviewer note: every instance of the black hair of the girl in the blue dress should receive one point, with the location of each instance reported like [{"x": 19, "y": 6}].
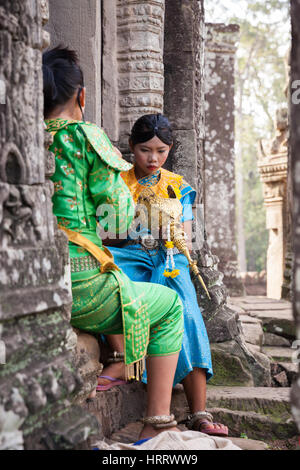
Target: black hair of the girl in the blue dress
[{"x": 150, "y": 125}]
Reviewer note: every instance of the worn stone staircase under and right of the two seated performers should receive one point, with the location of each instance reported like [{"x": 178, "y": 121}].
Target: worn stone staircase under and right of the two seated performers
[{"x": 261, "y": 414}]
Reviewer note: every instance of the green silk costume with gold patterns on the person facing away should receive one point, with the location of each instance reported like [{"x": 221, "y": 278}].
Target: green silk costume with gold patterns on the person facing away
[{"x": 87, "y": 175}]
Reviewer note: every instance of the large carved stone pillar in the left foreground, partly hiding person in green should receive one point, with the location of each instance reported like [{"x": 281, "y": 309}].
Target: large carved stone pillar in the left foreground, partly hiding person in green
[{"x": 37, "y": 376}]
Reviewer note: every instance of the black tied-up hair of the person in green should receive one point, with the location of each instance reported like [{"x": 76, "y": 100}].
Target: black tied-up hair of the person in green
[{"x": 62, "y": 77}]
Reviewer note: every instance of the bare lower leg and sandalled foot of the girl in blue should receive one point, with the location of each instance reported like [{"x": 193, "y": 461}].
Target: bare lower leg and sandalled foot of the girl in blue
[{"x": 195, "y": 389}]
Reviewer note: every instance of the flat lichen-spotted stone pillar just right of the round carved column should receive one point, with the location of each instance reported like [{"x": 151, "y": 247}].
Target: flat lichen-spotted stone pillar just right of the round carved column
[{"x": 184, "y": 68}]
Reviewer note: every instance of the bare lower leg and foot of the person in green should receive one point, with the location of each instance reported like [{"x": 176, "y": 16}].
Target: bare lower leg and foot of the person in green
[{"x": 160, "y": 373}]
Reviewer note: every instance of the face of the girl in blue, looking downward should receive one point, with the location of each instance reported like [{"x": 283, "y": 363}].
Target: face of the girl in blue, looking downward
[{"x": 150, "y": 156}]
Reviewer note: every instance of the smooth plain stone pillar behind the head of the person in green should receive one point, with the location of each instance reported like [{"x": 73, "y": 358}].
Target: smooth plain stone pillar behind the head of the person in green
[{"x": 77, "y": 24}]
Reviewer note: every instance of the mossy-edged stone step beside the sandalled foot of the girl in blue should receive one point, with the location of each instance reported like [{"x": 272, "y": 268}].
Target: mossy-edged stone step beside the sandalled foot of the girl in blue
[{"x": 255, "y": 411}]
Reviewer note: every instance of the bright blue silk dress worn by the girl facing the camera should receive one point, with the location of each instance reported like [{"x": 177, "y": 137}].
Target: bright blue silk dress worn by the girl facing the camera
[{"x": 148, "y": 266}]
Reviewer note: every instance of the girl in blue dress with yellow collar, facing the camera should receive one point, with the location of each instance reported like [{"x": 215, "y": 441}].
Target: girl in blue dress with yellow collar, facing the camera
[{"x": 144, "y": 260}]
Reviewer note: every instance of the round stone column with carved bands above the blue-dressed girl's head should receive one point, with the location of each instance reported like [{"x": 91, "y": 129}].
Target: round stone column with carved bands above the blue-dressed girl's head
[{"x": 140, "y": 28}]
